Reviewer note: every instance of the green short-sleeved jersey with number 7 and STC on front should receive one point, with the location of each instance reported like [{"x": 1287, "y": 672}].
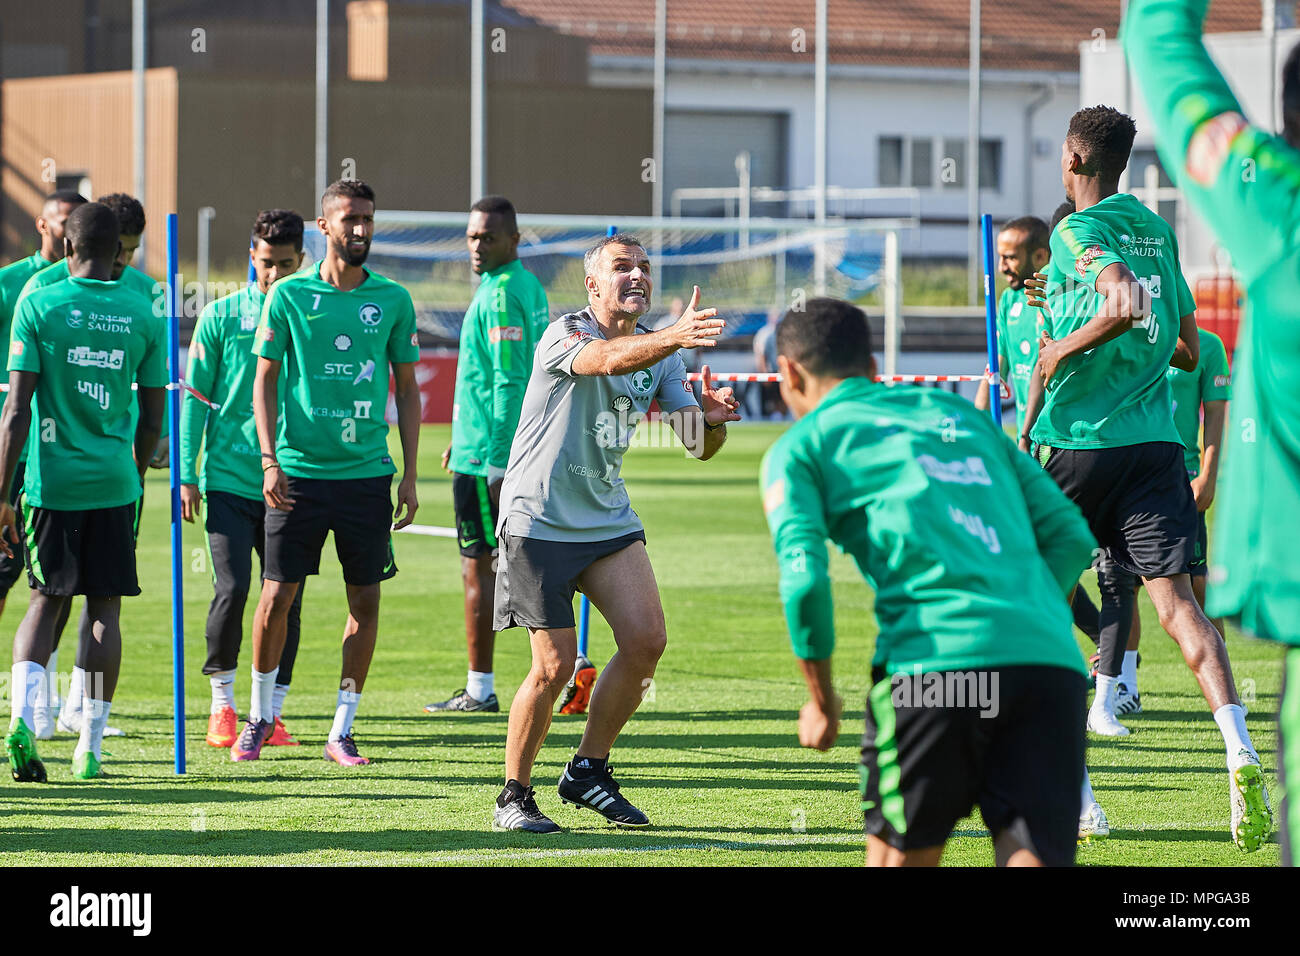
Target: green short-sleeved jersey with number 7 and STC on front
[{"x": 336, "y": 349}]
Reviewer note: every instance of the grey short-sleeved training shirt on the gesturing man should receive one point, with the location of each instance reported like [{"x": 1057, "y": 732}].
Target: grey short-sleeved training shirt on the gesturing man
[{"x": 564, "y": 483}]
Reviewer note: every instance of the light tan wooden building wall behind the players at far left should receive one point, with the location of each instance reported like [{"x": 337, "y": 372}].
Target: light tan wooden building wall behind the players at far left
[{"x": 57, "y": 126}]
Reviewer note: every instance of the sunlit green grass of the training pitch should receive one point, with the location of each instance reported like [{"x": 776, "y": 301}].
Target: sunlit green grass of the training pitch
[{"x": 712, "y": 756}]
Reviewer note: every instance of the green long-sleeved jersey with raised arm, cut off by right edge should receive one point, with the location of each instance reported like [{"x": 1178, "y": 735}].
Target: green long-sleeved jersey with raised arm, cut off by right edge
[{"x": 1245, "y": 183}]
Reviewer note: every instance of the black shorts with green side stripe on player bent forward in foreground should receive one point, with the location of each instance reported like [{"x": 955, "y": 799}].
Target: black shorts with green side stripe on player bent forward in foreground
[{"x": 1015, "y": 747}]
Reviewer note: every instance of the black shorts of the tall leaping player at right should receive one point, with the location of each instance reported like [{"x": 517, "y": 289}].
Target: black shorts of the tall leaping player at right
[{"x": 1138, "y": 503}]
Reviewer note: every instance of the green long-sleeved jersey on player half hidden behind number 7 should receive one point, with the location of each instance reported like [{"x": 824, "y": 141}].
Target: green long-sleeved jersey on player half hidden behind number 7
[{"x": 223, "y": 369}]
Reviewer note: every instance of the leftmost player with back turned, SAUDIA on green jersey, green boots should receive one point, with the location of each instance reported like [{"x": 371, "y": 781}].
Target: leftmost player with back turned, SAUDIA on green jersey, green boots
[{"x": 76, "y": 351}]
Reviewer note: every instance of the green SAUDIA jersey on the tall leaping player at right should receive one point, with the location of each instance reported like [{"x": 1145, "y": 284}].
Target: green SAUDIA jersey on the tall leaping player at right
[{"x": 1115, "y": 395}]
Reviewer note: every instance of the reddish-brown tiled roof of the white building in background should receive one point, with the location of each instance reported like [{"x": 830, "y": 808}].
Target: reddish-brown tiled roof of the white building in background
[{"x": 1017, "y": 34}]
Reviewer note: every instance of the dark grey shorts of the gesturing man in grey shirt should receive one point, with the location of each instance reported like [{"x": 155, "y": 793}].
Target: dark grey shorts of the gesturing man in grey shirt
[{"x": 536, "y": 581}]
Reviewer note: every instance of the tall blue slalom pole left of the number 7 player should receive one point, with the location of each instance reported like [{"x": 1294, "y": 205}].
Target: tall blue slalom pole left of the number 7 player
[{"x": 174, "y": 406}]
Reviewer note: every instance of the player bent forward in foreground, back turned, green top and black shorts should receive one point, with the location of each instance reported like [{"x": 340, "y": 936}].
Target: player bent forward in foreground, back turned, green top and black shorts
[{"x": 972, "y": 551}]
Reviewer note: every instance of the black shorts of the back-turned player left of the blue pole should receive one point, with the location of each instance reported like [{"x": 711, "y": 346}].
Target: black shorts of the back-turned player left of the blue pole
[{"x": 88, "y": 552}]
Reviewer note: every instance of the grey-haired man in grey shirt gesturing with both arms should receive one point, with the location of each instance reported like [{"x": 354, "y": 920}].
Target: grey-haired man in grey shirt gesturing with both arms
[{"x": 567, "y": 525}]
